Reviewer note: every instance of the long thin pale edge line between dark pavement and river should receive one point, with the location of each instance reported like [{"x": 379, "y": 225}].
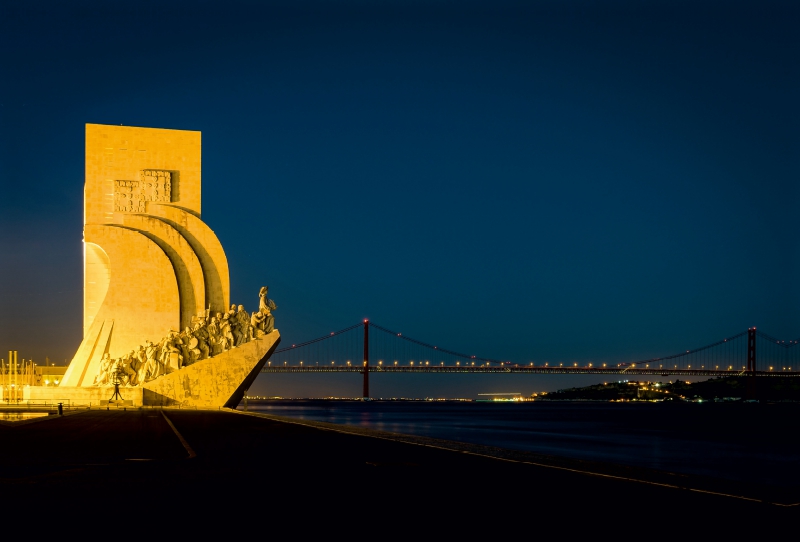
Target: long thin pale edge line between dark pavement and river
[{"x": 544, "y": 465}]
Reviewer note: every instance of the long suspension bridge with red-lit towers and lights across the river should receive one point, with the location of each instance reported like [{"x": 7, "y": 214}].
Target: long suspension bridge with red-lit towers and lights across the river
[{"x": 367, "y": 347}]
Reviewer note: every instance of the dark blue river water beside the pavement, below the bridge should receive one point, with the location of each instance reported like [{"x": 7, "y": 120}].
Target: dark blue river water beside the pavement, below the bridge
[{"x": 748, "y": 442}]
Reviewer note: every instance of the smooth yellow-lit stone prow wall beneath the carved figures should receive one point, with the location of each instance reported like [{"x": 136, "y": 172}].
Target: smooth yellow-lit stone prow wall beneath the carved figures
[{"x": 215, "y": 382}]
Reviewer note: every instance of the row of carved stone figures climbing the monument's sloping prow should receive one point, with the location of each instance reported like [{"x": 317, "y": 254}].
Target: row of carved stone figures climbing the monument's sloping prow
[{"x": 208, "y": 336}]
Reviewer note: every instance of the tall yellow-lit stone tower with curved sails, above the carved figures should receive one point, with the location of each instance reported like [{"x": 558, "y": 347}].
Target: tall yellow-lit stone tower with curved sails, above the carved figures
[{"x": 150, "y": 262}]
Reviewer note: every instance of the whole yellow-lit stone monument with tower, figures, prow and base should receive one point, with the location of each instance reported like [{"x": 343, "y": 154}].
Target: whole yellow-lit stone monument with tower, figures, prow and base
[{"x": 156, "y": 314}]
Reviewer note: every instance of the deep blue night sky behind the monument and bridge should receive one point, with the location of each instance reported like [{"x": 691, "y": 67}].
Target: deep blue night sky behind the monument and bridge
[{"x": 535, "y": 181}]
